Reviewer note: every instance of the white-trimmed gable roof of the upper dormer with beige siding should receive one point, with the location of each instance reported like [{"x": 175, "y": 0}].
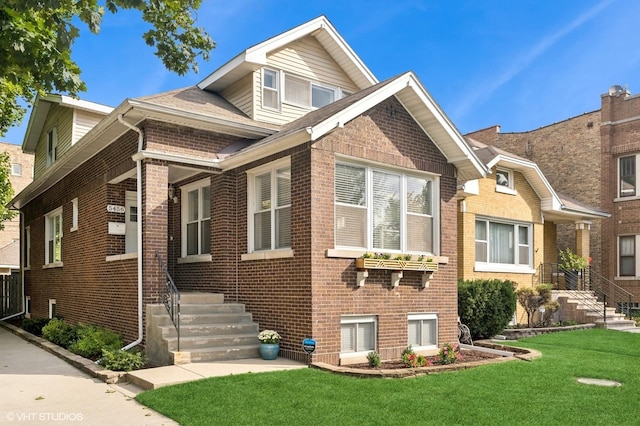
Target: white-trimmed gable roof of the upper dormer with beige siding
[{"x": 255, "y": 57}]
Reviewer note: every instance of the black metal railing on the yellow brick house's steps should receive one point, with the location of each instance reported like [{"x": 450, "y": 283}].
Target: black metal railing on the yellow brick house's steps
[{"x": 588, "y": 281}]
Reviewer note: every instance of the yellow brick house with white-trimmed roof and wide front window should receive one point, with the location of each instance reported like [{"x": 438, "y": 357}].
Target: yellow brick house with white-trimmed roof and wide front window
[{"x": 507, "y": 221}]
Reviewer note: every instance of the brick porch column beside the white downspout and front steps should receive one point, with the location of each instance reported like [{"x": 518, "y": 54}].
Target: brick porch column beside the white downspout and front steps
[{"x": 154, "y": 220}]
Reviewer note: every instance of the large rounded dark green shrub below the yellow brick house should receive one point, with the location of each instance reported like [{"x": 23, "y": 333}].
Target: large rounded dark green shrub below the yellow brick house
[{"x": 486, "y": 306}]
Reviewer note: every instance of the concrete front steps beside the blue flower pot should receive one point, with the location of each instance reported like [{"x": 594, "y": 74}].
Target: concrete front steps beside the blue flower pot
[{"x": 210, "y": 330}]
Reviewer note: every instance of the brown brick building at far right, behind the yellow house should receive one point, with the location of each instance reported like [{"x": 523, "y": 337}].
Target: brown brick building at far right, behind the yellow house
[{"x": 593, "y": 159}]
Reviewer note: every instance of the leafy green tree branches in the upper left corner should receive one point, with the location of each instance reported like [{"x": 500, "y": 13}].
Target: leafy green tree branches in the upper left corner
[{"x": 37, "y": 36}]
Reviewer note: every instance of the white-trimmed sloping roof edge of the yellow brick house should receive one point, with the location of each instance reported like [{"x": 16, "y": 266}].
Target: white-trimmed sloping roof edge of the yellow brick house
[{"x": 556, "y": 207}]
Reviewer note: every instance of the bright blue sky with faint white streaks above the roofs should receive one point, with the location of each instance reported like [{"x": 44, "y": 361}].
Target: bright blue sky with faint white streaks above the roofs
[{"x": 521, "y": 64}]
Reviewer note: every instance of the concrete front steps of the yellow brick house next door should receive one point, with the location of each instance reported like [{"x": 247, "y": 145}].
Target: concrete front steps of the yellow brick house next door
[{"x": 583, "y": 307}]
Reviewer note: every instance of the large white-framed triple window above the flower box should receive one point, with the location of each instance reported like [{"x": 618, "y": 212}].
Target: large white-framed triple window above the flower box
[{"x": 378, "y": 209}]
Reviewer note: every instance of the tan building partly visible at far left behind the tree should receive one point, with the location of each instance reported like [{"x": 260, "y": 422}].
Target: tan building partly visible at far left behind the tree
[{"x": 20, "y": 176}]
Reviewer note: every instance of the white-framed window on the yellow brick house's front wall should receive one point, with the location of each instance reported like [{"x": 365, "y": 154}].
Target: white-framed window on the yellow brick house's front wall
[{"x": 503, "y": 244}]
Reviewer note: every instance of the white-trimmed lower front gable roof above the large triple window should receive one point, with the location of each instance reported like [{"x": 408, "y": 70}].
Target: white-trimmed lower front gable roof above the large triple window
[{"x": 408, "y": 90}]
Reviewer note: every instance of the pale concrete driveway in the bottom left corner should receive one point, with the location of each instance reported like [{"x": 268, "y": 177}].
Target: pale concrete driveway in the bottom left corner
[{"x": 39, "y": 388}]
